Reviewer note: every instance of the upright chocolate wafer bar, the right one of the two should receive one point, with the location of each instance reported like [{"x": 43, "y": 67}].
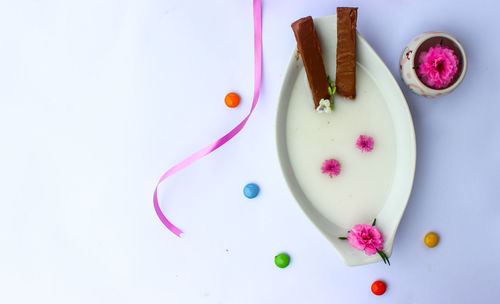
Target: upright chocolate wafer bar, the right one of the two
[{"x": 345, "y": 78}]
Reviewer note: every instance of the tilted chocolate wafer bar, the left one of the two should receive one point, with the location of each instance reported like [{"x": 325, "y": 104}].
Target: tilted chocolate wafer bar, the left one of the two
[{"x": 309, "y": 47}]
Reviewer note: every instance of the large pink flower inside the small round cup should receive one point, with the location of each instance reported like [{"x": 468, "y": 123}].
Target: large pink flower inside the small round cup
[{"x": 437, "y": 66}]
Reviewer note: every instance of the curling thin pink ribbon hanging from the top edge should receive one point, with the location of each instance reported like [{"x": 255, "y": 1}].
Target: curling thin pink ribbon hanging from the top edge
[{"x": 257, "y": 21}]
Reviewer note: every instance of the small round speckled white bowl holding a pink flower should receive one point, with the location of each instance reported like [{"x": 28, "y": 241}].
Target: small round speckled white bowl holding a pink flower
[{"x": 409, "y": 56}]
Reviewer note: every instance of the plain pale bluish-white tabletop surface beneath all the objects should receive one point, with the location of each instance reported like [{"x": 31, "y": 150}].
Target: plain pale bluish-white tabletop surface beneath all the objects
[{"x": 99, "y": 97}]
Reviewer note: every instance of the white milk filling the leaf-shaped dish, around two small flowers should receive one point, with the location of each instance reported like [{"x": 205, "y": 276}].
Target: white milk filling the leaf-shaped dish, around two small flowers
[{"x": 359, "y": 192}]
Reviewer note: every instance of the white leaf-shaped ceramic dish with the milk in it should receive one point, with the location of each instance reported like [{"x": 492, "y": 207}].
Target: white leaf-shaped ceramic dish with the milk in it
[{"x": 374, "y": 184}]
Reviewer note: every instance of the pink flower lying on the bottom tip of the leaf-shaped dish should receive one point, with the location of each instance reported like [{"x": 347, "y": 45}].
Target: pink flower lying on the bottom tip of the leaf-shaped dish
[{"x": 366, "y": 237}]
